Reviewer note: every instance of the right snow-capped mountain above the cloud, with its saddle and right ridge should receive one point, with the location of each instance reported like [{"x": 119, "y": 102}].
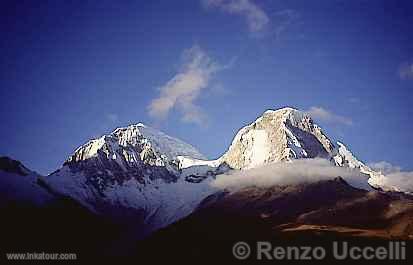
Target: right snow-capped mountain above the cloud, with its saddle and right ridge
[{"x": 280, "y": 136}]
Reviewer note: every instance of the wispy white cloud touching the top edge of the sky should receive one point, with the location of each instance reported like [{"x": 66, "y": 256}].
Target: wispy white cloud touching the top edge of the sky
[{"x": 255, "y": 17}]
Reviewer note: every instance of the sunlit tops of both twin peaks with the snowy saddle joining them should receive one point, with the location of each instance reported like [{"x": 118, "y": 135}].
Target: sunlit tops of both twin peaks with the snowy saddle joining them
[{"x": 277, "y": 135}]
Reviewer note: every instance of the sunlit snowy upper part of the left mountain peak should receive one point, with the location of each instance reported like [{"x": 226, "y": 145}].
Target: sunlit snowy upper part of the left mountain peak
[{"x": 131, "y": 146}]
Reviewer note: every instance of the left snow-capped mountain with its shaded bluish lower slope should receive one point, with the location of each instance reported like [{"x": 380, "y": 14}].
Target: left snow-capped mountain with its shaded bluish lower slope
[{"x": 134, "y": 173}]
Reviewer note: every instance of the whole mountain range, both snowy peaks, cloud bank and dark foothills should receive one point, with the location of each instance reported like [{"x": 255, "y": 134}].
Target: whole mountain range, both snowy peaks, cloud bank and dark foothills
[{"x": 282, "y": 176}]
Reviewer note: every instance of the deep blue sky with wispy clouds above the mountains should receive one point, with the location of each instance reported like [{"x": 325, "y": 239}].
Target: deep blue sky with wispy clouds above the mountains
[{"x": 200, "y": 70}]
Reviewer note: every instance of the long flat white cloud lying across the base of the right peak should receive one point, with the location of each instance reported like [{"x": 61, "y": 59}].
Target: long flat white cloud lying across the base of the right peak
[{"x": 289, "y": 173}]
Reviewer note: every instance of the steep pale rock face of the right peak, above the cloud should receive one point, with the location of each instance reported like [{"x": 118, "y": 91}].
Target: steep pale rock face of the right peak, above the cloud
[{"x": 277, "y": 136}]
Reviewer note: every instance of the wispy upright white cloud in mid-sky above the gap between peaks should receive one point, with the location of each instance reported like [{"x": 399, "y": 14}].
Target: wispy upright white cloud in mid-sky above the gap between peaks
[{"x": 185, "y": 87}]
